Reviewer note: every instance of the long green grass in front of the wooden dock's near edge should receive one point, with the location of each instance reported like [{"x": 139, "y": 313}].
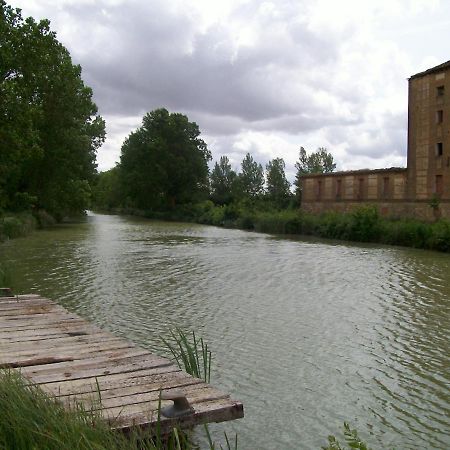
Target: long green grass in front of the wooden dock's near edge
[{"x": 30, "y": 419}]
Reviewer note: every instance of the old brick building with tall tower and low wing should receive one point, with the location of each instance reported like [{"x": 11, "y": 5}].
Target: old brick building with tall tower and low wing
[{"x": 400, "y": 192}]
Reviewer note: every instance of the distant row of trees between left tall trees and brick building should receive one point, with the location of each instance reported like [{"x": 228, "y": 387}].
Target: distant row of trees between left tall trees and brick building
[{"x": 163, "y": 171}]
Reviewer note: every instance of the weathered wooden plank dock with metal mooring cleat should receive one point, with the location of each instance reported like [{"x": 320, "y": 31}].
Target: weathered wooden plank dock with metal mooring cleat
[{"x": 72, "y": 359}]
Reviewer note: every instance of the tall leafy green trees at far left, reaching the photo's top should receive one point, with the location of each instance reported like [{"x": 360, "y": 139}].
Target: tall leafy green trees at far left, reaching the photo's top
[{"x": 50, "y": 127}]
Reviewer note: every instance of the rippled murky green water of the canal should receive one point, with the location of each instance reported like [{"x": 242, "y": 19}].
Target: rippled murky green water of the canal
[{"x": 306, "y": 333}]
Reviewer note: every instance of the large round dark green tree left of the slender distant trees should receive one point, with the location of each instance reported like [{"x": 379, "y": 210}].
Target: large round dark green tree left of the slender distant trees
[{"x": 164, "y": 162}]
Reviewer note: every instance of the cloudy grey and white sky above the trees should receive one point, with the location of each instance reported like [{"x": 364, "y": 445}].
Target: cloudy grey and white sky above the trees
[{"x": 264, "y": 77}]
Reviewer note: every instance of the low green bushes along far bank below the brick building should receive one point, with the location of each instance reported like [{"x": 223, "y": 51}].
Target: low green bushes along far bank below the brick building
[{"x": 364, "y": 224}]
